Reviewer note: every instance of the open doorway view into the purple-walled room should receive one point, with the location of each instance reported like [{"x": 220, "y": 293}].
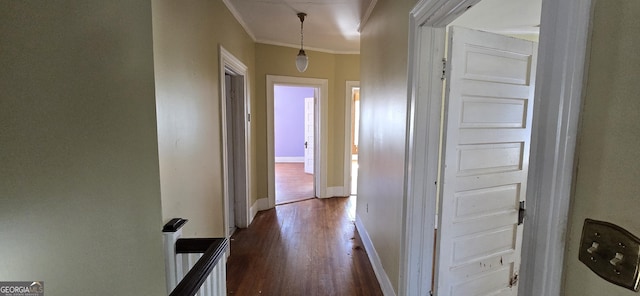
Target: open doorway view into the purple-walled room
[{"x": 294, "y": 130}]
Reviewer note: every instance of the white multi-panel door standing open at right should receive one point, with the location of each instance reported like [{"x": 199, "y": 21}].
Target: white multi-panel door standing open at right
[{"x": 489, "y": 105}]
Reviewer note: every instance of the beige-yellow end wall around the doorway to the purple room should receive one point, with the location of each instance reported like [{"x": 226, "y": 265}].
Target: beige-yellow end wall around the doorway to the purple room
[{"x": 337, "y": 68}]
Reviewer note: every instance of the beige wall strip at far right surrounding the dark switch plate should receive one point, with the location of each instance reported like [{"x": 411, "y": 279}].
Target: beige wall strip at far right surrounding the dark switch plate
[{"x": 606, "y": 183}]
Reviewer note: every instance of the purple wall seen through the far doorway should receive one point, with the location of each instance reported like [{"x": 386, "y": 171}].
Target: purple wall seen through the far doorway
[{"x": 289, "y": 120}]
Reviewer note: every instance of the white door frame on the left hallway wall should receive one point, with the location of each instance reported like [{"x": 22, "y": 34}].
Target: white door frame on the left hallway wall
[{"x": 229, "y": 63}]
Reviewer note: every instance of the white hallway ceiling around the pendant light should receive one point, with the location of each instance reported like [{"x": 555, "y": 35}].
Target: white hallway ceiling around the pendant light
[{"x": 330, "y": 25}]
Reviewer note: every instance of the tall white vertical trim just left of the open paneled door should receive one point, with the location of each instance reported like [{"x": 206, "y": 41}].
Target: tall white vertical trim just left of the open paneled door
[{"x": 423, "y": 144}]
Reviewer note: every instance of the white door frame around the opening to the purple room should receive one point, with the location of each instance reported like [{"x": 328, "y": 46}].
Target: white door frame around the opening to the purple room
[{"x": 320, "y": 159}]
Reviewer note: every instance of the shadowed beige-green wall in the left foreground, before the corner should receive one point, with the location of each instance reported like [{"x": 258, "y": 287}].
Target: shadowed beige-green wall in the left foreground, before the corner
[{"x": 79, "y": 180}]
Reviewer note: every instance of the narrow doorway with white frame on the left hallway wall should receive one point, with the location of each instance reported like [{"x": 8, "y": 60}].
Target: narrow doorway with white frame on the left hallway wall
[{"x": 236, "y": 128}]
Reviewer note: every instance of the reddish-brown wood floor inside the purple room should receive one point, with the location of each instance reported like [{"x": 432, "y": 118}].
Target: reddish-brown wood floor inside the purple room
[{"x": 292, "y": 183}]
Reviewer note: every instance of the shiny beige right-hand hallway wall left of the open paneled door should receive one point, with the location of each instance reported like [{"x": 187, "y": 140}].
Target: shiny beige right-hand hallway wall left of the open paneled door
[{"x": 382, "y": 129}]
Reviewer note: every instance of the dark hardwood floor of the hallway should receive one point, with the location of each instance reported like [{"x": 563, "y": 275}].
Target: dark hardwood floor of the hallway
[{"x": 309, "y": 247}]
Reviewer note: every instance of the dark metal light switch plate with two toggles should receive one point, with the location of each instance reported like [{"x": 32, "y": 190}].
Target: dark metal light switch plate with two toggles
[{"x": 611, "y": 252}]
